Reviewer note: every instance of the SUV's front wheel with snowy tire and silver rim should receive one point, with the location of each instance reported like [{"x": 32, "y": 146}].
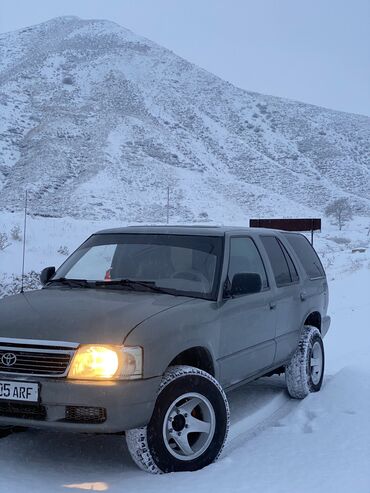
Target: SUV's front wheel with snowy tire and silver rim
[{"x": 189, "y": 425}]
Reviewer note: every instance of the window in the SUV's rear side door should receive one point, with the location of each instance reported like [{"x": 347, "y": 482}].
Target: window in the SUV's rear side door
[{"x": 281, "y": 262}]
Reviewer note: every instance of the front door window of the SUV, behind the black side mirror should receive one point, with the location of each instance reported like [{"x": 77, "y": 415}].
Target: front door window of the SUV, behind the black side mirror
[{"x": 245, "y": 258}]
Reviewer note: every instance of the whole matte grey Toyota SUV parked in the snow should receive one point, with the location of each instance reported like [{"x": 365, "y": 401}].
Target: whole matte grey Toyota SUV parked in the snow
[{"x": 143, "y": 329}]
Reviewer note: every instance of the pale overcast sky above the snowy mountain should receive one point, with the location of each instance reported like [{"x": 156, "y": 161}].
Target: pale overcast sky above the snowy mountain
[{"x": 317, "y": 51}]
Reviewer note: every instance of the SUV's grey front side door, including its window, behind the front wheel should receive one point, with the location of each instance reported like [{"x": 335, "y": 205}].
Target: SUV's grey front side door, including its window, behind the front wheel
[{"x": 247, "y": 322}]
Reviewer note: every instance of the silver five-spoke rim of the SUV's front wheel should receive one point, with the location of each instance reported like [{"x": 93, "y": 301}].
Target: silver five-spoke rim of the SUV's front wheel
[{"x": 189, "y": 426}]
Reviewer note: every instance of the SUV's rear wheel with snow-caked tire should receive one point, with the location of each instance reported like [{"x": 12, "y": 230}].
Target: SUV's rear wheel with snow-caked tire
[{"x": 305, "y": 371}]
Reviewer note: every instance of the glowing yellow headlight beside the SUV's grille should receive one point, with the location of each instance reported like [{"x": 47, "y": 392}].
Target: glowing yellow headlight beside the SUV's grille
[{"x": 93, "y": 362}]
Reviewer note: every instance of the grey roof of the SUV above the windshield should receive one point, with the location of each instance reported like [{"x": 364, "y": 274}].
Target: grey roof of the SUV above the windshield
[{"x": 194, "y": 230}]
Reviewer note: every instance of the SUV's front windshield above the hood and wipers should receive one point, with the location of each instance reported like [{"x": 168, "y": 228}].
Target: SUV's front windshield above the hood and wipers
[{"x": 187, "y": 265}]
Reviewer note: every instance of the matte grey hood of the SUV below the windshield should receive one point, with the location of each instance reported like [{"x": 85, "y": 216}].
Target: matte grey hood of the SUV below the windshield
[{"x": 80, "y": 315}]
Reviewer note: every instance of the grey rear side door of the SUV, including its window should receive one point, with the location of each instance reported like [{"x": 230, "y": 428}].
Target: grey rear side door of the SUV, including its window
[{"x": 287, "y": 297}]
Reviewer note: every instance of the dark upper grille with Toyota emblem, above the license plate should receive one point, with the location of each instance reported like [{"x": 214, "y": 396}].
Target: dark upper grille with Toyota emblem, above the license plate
[{"x": 34, "y": 361}]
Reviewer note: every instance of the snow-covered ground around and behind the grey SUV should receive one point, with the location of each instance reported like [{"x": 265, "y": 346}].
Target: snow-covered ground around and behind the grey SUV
[{"x": 276, "y": 444}]
